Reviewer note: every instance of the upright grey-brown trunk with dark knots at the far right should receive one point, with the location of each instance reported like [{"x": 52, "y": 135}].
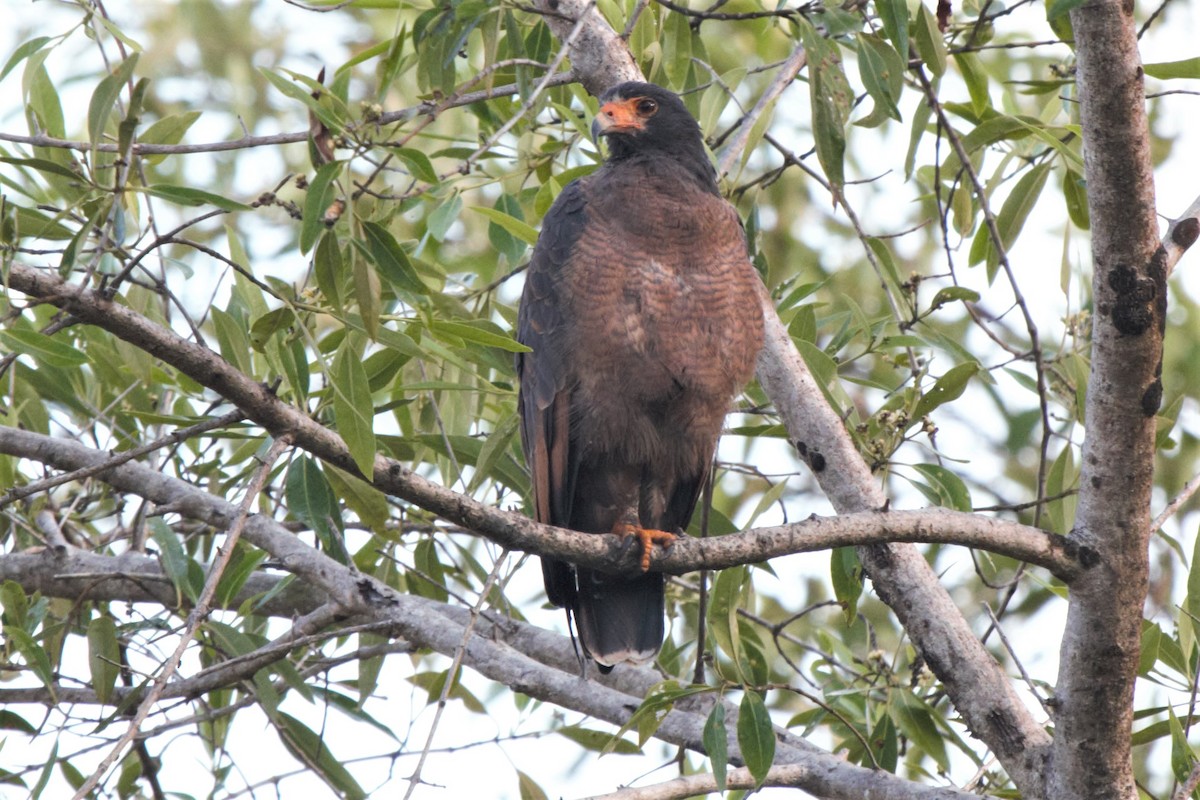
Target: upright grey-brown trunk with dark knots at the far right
[{"x": 1099, "y": 661}]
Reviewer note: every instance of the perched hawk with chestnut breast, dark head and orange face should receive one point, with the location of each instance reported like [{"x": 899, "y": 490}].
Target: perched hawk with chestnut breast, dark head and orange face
[{"x": 641, "y": 310}]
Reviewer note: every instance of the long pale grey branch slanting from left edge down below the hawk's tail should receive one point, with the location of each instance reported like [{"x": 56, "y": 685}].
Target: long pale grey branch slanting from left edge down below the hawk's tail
[{"x": 519, "y": 655}]
